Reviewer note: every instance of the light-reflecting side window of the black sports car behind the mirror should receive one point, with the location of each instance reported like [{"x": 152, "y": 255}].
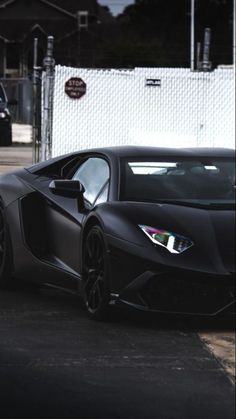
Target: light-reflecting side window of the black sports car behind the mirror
[{"x": 94, "y": 175}]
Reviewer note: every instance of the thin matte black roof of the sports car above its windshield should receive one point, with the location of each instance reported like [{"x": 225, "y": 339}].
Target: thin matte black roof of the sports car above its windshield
[{"x": 155, "y": 152}]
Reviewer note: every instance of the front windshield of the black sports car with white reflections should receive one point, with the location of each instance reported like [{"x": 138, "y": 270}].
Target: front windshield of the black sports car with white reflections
[{"x": 198, "y": 181}]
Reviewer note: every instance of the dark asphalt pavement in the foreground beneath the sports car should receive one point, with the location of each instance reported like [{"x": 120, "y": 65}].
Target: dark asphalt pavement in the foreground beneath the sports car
[{"x": 55, "y": 362}]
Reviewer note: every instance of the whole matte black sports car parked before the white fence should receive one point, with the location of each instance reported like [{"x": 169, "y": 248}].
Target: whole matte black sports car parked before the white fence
[{"x": 151, "y": 228}]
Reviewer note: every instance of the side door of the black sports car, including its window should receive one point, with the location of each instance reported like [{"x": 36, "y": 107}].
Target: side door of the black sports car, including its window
[{"x": 64, "y": 219}]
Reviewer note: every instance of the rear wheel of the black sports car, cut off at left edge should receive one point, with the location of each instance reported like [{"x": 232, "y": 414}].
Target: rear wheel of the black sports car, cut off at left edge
[{"x": 5, "y": 251}]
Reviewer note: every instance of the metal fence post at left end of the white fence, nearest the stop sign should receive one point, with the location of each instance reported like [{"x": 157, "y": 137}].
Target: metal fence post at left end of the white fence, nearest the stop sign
[{"x": 48, "y": 84}]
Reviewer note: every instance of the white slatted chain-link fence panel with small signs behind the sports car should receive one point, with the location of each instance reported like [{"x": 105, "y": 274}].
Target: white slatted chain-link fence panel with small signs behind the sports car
[{"x": 170, "y": 107}]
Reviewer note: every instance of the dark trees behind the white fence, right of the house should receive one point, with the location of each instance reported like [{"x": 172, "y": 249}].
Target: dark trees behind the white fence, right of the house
[{"x": 166, "y": 23}]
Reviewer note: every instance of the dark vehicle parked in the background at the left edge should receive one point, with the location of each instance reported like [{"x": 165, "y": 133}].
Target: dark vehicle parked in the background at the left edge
[{"x": 5, "y": 120}]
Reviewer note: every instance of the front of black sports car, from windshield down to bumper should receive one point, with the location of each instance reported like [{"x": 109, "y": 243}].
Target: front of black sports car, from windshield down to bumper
[{"x": 178, "y": 220}]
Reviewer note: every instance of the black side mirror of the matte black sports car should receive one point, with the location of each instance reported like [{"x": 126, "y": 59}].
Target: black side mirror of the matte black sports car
[{"x": 69, "y": 189}]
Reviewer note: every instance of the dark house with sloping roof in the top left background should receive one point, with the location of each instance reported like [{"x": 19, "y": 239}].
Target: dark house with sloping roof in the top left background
[{"x": 77, "y": 27}]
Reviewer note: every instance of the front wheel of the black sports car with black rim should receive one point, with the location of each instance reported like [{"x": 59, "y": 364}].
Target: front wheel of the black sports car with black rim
[{"x": 96, "y": 289}]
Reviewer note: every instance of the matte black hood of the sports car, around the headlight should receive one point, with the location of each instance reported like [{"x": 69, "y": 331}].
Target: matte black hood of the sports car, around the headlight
[{"x": 212, "y": 232}]
